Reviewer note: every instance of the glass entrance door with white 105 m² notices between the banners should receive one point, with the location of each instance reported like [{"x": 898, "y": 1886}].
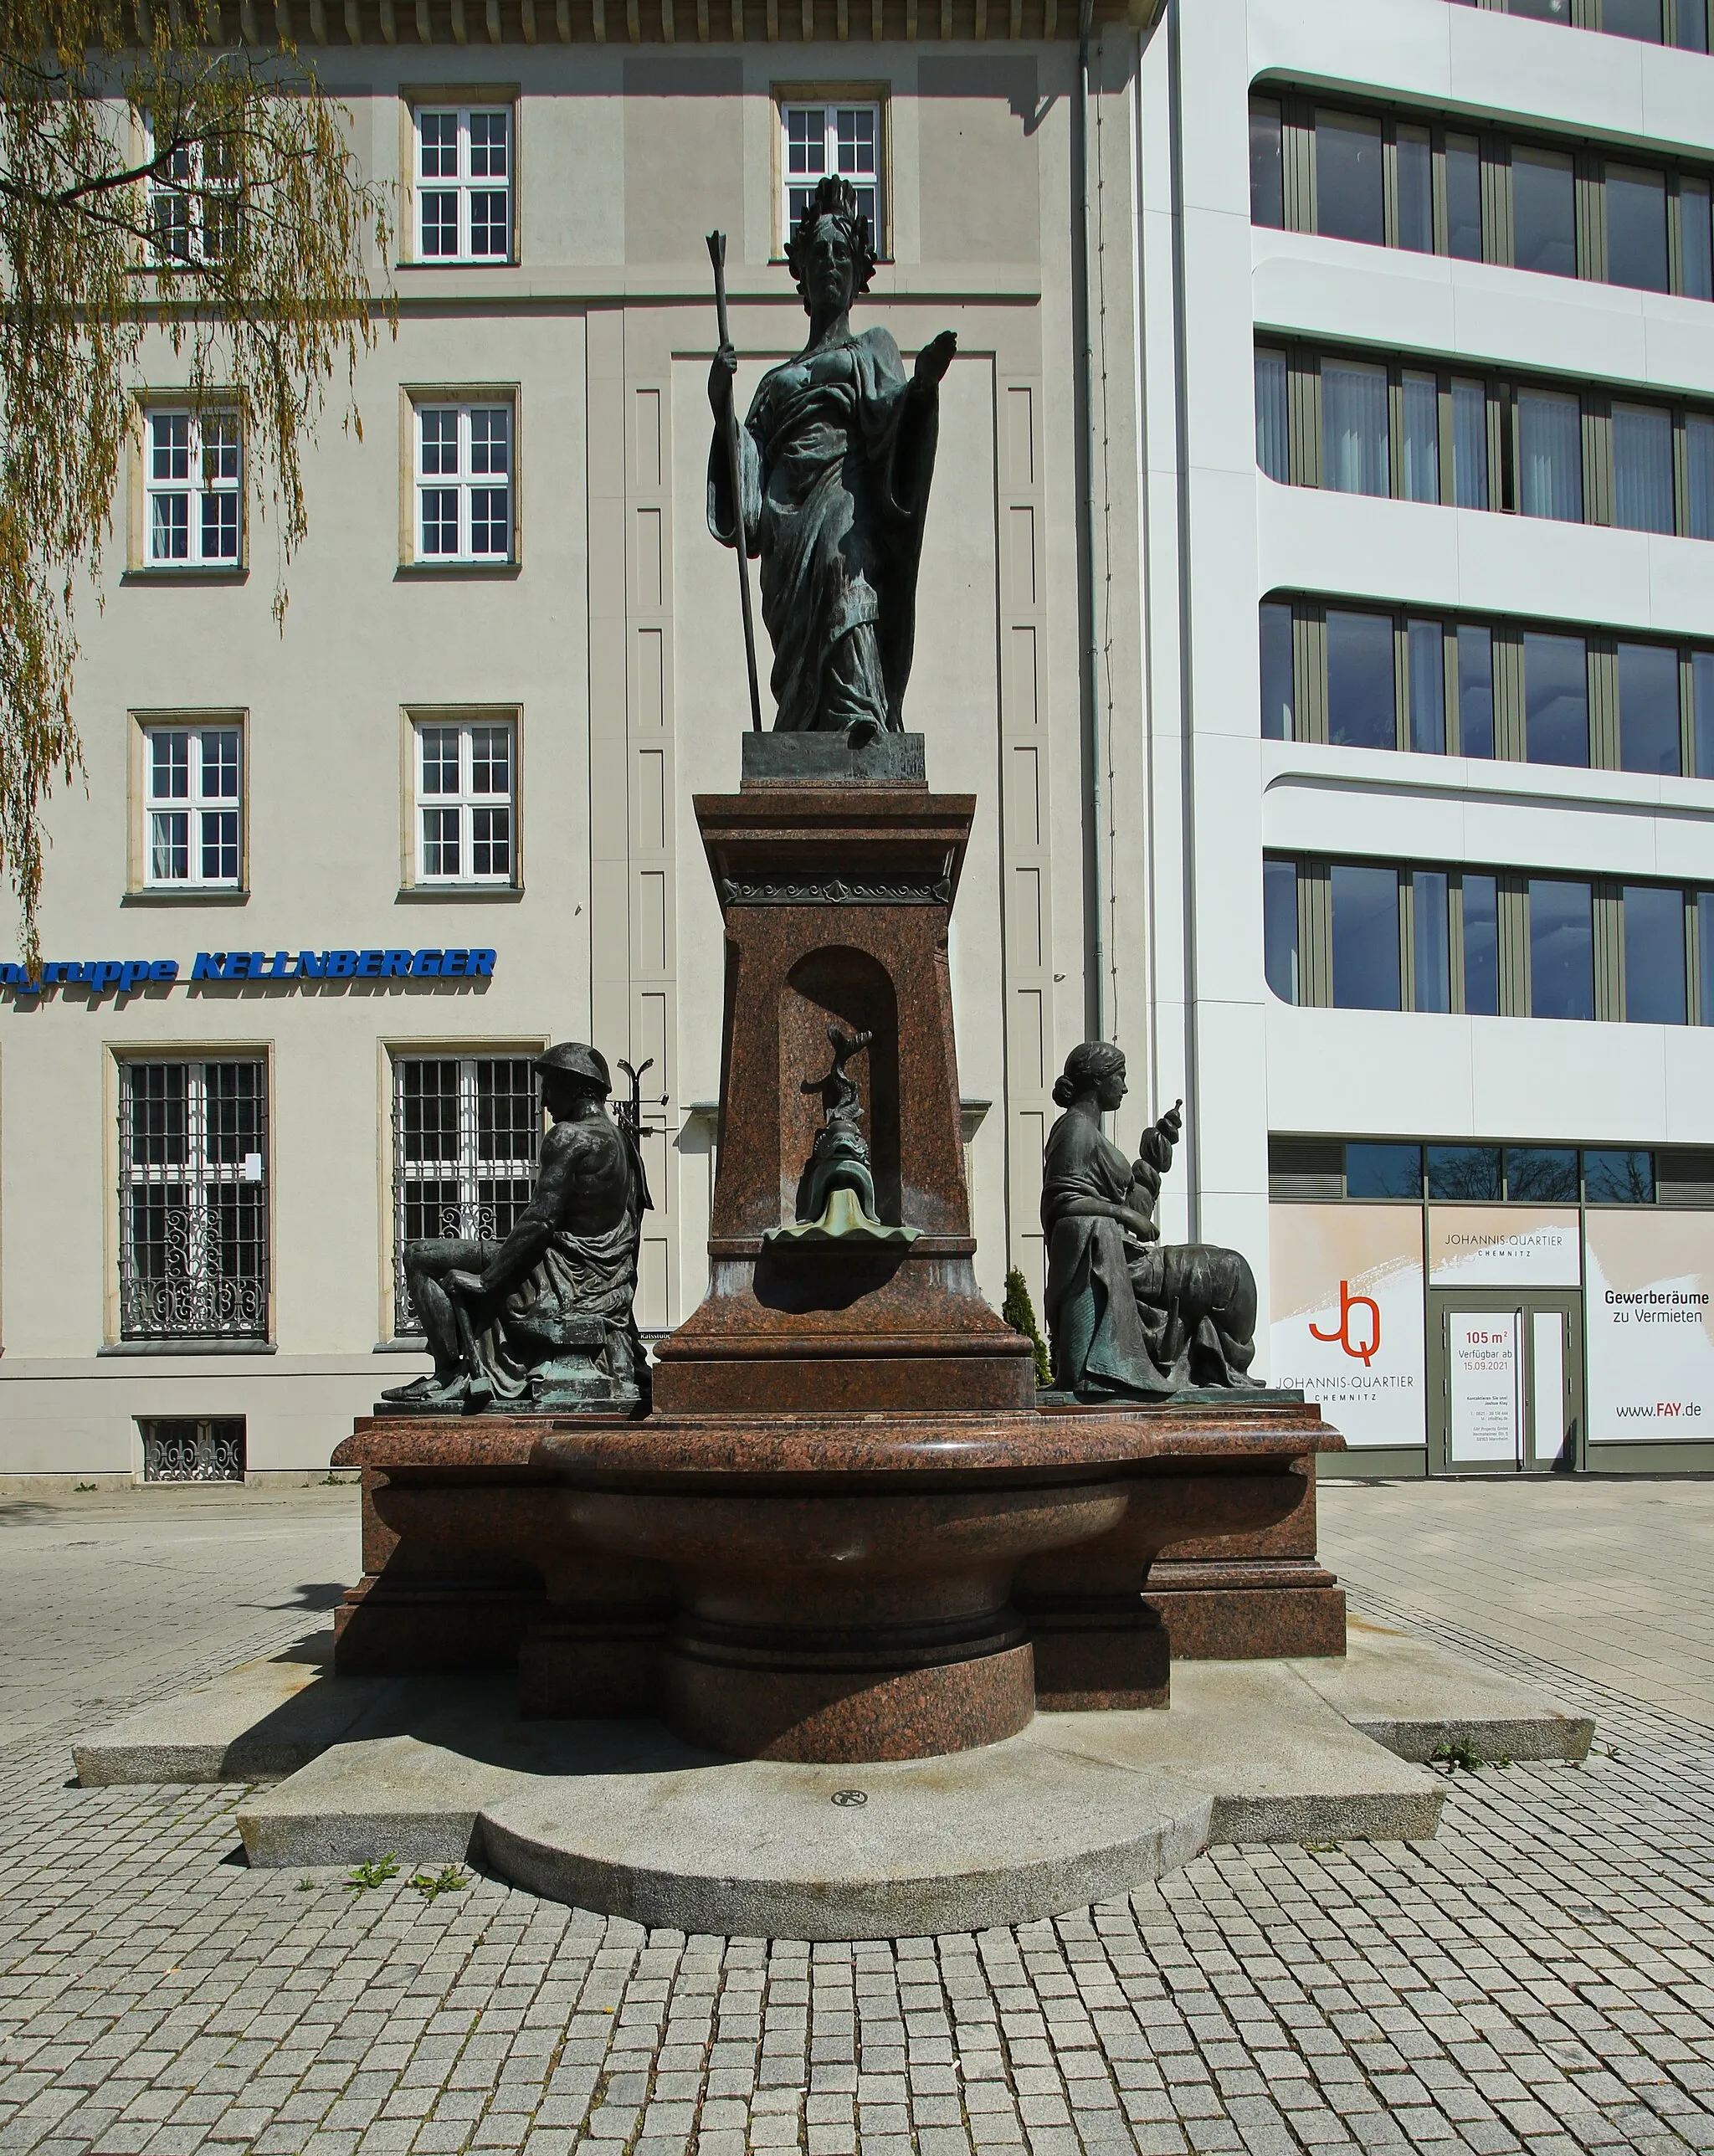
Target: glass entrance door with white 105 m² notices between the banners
[{"x": 1506, "y": 1394}]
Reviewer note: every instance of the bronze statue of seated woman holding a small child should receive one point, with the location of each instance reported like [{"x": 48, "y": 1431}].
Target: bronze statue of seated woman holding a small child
[{"x": 1131, "y": 1316}]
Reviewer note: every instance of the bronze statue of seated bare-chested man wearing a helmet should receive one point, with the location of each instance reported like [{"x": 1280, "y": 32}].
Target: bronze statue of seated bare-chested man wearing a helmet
[{"x": 544, "y": 1318}]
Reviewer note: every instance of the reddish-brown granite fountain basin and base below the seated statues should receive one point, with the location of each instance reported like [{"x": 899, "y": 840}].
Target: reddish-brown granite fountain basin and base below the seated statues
[{"x": 835, "y": 1588}]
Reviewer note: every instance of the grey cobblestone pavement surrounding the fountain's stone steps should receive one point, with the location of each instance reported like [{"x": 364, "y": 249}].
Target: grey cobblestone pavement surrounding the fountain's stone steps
[{"x": 1534, "y": 1980}]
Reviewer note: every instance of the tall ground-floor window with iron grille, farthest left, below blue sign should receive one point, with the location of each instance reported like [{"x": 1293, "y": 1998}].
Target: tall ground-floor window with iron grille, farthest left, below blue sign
[{"x": 193, "y": 1196}]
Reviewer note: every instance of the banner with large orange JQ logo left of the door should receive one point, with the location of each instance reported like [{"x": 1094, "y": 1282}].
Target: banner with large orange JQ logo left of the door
[{"x": 1349, "y": 1316}]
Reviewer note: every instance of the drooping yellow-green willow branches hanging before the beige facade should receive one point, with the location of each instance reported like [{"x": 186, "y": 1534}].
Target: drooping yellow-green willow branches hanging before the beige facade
[{"x": 154, "y": 184}]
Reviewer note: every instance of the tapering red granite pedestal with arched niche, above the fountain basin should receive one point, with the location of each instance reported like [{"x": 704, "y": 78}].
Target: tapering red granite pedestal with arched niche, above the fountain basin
[{"x": 835, "y": 902}]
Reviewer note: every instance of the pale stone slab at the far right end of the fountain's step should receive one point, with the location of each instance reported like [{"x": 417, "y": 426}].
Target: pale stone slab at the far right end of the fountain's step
[{"x": 1413, "y": 1698}]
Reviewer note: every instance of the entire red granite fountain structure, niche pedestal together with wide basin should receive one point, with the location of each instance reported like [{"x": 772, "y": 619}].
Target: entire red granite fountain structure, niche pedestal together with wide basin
[{"x": 846, "y": 1532}]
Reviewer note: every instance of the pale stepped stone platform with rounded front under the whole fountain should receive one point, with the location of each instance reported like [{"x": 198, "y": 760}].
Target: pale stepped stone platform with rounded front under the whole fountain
[{"x": 628, "y": 1821}]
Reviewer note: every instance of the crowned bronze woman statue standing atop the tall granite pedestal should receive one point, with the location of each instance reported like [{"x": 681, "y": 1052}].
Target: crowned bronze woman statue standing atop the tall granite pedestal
[{"x": 835, "y": 467}]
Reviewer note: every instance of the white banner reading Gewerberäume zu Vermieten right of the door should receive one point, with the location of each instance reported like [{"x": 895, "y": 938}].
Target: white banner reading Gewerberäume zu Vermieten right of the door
[{"x": 1650, "y": 1327}]
